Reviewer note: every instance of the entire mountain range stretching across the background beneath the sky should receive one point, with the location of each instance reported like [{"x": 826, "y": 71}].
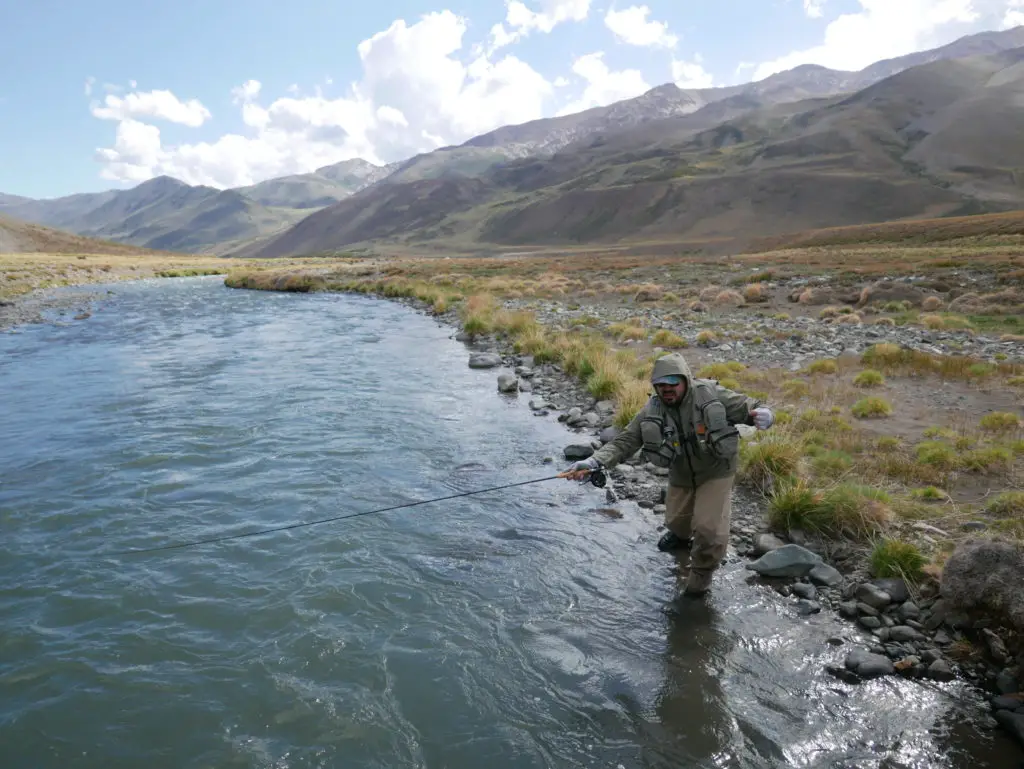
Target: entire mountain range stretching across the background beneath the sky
[{"x": 935, "y": 134}]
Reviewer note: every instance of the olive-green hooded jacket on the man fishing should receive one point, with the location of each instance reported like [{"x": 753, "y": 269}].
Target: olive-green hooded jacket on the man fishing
[{"x": 697, "y": 439}]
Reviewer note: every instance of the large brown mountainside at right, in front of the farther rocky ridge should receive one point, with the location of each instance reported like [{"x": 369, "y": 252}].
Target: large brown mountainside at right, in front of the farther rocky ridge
[{"x": 916, "y": 146}]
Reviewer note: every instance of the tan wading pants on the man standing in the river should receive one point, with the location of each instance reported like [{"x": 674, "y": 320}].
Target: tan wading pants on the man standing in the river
[{"x": 704, "y": 514}]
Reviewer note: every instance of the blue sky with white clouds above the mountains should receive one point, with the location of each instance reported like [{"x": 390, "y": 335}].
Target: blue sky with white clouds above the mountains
[{"x": 110, "y": 94}]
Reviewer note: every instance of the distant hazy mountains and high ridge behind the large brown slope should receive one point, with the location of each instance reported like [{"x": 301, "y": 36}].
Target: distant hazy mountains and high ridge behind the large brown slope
[{"x": 172, "y": 213}]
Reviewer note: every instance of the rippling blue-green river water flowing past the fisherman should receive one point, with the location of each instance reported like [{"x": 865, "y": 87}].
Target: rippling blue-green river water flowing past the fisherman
[{"x": 511, "y": 629}]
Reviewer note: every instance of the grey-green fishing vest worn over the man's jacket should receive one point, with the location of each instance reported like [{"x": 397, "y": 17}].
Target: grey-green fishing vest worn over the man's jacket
[{"x": 713, "y": 435}]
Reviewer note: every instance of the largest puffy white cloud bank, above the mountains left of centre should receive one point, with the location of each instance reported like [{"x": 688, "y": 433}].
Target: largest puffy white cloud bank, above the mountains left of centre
[{"x": 416, "y": 95}]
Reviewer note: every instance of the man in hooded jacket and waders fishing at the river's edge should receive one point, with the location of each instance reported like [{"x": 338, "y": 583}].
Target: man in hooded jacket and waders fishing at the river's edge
[{"x": 690, "y": 428}]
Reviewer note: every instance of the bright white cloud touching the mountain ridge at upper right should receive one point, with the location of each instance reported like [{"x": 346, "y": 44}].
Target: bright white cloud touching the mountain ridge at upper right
[{"x": 884, "y": 29}]
